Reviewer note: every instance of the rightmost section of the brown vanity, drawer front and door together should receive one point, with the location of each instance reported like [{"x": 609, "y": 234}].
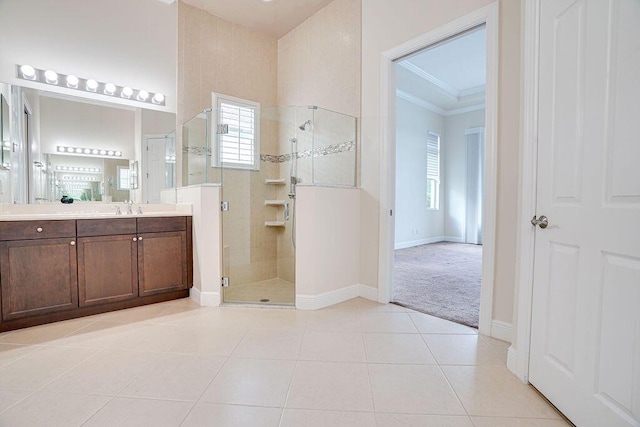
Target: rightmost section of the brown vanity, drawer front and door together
[{"x": 163, "y": 257}]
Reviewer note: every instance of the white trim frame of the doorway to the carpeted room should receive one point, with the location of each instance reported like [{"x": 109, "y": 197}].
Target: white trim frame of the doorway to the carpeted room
[{"x": 487, "y": 16}]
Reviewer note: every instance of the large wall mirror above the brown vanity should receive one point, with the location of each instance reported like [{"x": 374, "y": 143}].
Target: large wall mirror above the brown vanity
[{"x": 88, "y": 150}]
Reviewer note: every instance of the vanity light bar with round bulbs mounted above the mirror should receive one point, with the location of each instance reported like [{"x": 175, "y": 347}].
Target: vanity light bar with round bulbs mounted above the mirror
[{"x": 50, "y": 77}]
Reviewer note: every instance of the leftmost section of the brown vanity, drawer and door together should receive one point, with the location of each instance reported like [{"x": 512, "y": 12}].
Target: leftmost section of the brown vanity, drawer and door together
[{"x": 38, "y": 269}]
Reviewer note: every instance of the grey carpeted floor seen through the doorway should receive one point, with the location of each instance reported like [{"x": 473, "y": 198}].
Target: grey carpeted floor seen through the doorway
[{"x": 441, "y": 279}]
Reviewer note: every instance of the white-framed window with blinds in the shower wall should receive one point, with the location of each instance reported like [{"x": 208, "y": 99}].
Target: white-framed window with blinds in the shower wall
[{"x": 238, "y": 132}]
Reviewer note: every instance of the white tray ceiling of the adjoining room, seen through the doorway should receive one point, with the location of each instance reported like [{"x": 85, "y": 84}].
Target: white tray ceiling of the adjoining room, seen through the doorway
[{"x": 450, "y": 76}]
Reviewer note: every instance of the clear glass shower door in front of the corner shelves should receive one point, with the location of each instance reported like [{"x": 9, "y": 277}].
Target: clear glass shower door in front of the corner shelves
[{"x": 255, "y": 226}]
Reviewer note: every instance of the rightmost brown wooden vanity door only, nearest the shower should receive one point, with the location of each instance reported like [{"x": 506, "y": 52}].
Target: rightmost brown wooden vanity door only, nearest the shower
[{"x": 162, "y": 262}]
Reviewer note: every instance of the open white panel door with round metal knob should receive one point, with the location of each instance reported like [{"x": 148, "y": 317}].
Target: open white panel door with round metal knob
[{"x": 585, "y": 338}]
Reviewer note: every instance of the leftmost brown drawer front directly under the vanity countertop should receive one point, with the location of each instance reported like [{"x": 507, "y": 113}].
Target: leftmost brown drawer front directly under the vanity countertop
[{"x": 29, "y": 230}]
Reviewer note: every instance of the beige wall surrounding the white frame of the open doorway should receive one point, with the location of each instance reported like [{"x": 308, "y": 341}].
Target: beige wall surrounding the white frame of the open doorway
[{"x": 388, "y": 24}]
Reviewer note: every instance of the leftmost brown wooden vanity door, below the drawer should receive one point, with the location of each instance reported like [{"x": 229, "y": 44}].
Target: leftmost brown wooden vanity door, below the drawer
[{"x": 38, "y": 277}]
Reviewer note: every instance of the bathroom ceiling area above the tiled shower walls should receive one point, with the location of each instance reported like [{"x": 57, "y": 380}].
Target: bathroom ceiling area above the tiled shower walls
[{"x": 275, "y": 17}]
